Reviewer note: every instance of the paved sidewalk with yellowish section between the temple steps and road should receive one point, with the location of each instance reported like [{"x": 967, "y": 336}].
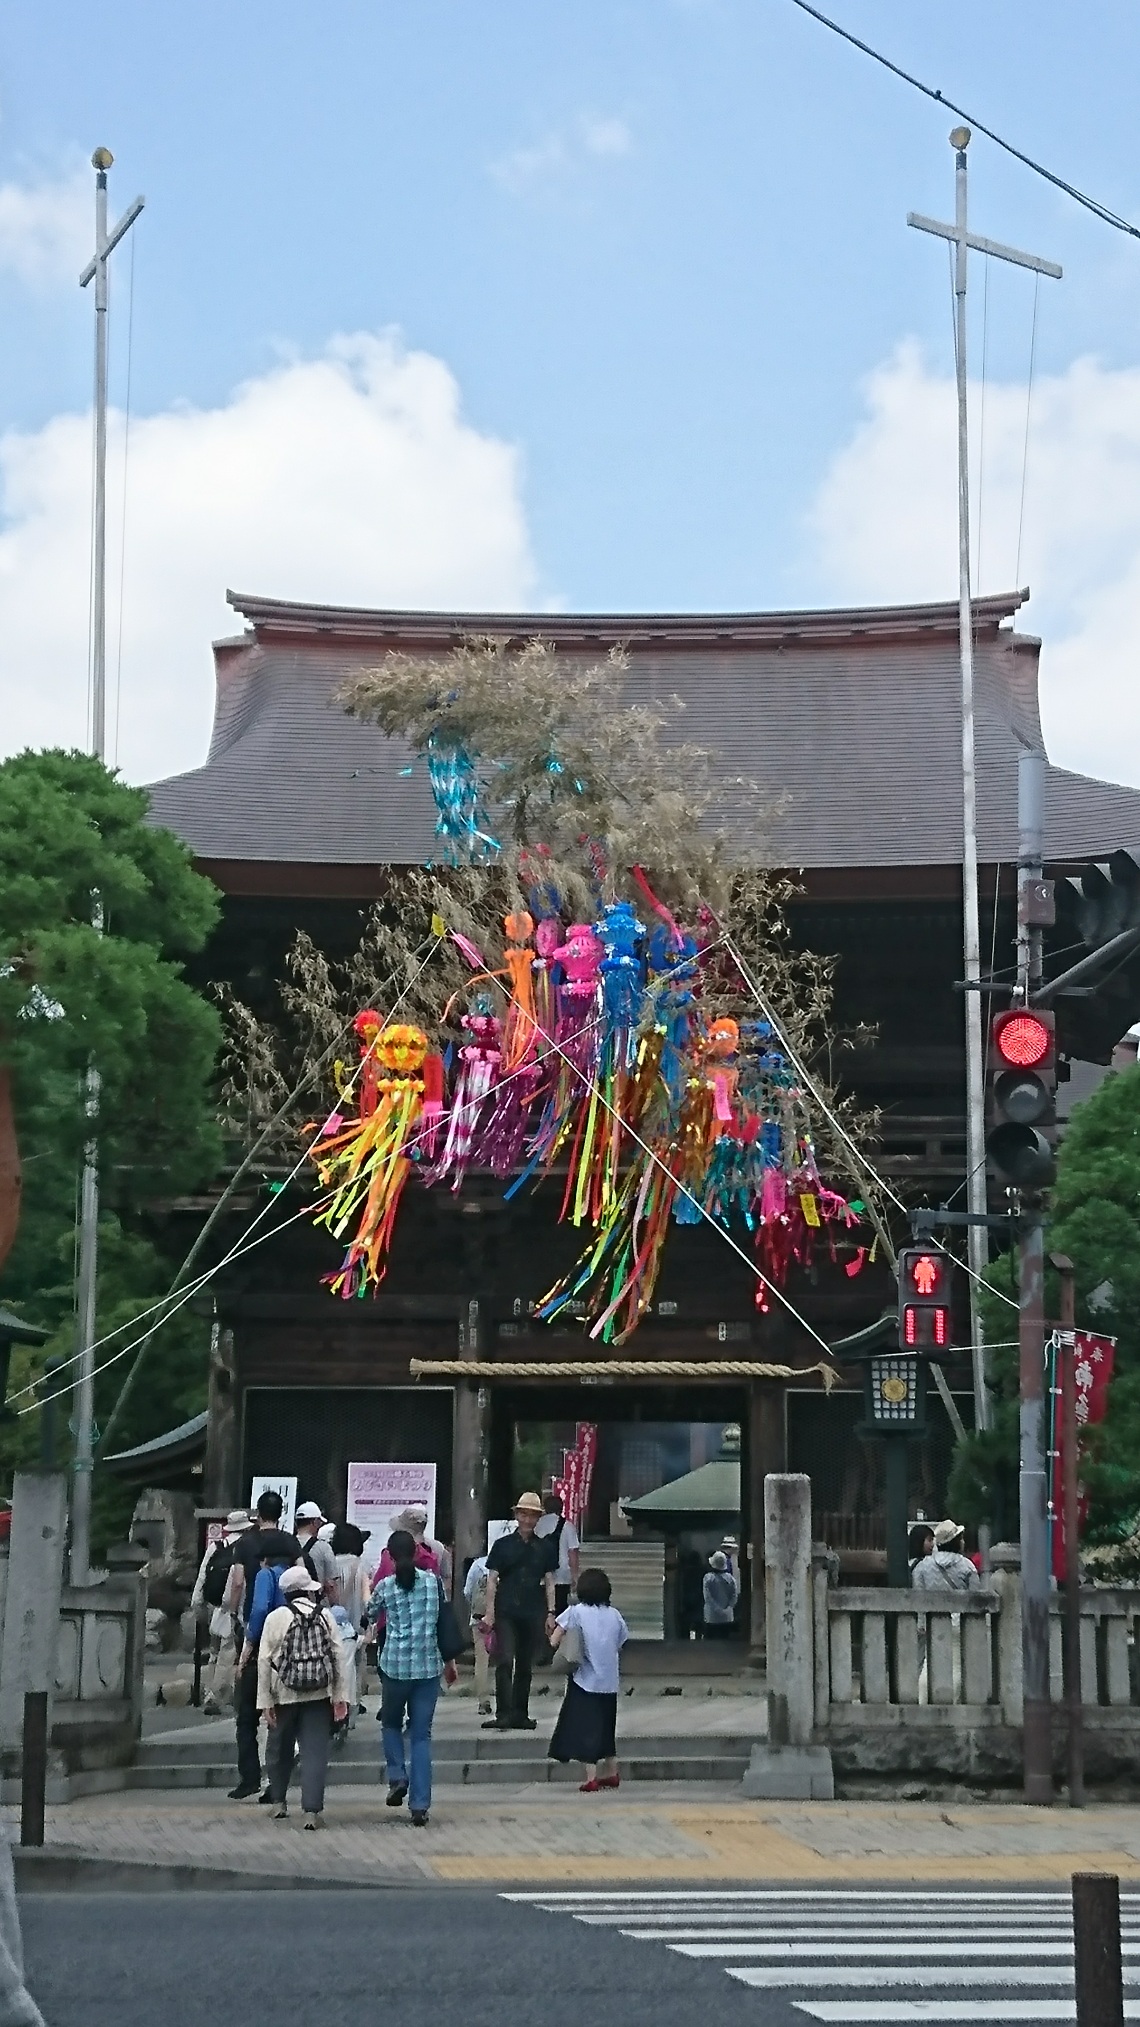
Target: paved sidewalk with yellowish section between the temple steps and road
[{"x": 646, "y": 1831}]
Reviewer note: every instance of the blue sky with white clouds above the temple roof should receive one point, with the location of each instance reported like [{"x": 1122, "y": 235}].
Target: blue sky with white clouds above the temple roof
[{"x": 508, "y": 305}]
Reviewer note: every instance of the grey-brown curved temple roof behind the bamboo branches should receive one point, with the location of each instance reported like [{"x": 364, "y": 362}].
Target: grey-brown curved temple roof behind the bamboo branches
[{"x": 847, "y": 719}]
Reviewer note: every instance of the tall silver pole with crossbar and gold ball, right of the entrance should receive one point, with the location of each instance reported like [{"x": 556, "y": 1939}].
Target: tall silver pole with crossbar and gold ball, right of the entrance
[{"x": 979, "y": 1240}]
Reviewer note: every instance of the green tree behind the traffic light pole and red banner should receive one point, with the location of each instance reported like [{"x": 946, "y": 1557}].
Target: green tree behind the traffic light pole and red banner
[{"x": 1094, "y": 1217}]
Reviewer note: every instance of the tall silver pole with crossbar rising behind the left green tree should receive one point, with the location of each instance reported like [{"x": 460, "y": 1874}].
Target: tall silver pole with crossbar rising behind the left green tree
[{"x": 84, "y": 1392}]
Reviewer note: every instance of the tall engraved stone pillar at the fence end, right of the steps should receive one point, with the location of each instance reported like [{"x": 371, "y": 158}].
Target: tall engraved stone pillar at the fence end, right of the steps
[{"x": 788, "y": 1568}]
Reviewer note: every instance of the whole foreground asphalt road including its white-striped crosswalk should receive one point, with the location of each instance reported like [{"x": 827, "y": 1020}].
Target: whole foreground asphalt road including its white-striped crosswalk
[{"x": 573, "y": 1957}]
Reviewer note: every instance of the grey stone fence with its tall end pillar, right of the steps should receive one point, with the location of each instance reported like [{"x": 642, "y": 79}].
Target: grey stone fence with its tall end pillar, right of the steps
[{"x": 926, "y": 1683}]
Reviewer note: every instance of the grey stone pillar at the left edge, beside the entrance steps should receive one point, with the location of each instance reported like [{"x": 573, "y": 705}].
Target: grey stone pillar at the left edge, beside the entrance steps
[{"x": 31, "y": 1604}]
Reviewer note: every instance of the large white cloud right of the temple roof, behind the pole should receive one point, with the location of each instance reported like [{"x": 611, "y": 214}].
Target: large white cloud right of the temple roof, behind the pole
[{"x": 885, "y": 528}]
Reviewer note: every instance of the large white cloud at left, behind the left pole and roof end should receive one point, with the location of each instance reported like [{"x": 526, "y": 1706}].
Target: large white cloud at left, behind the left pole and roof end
[{"x": 346, "y": 479}]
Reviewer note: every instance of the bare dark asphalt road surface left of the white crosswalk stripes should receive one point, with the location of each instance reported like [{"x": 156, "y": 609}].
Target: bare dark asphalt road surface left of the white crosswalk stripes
[{"x": 457, "y": 1959}]
